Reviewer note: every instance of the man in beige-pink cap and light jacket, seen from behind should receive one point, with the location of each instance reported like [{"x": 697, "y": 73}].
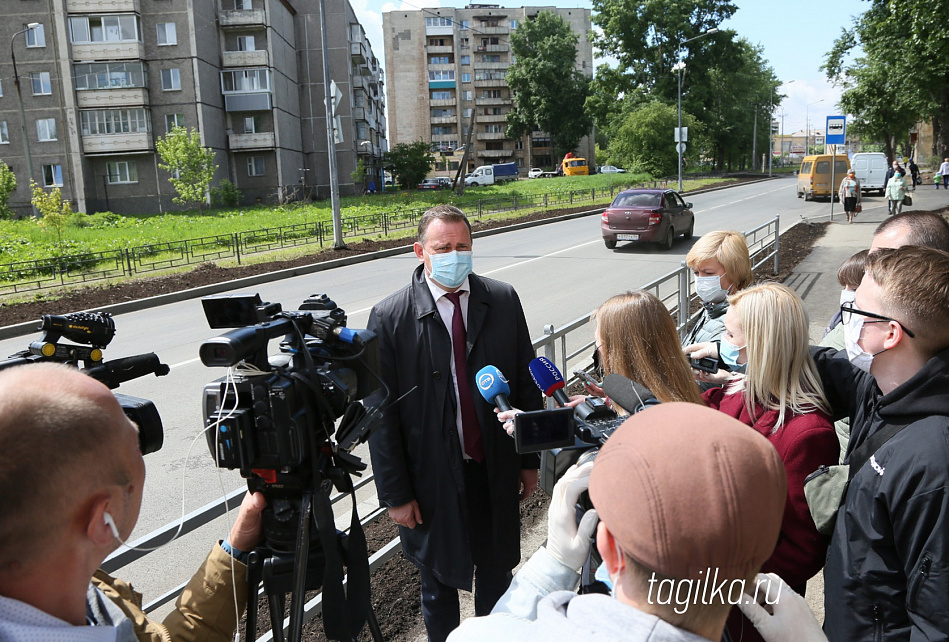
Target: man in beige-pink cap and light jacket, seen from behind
[{"x": 690, "y": 504}]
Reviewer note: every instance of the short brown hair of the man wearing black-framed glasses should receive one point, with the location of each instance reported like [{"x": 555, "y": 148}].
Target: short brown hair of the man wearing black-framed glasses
[{"x": 915, "y": 291}]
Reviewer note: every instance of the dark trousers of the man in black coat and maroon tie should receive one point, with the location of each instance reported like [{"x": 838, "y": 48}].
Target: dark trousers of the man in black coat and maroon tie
[{"x": 440, "y": 608}]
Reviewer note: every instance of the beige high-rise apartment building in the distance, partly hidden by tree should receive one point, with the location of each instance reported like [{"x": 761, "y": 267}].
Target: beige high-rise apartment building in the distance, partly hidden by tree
[{"x": 445, "y": 65}]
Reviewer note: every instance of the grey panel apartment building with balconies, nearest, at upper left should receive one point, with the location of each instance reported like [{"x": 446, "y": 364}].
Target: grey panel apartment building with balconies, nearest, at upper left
[{"x": 101, "y": 80}]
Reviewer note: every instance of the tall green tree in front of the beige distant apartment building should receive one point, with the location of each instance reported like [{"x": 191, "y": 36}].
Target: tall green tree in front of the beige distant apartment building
[{"x": 548, "y": 91}]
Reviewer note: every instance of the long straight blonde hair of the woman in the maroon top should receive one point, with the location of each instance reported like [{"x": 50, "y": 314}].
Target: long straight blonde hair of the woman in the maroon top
[{"x": 780, "y": 374}]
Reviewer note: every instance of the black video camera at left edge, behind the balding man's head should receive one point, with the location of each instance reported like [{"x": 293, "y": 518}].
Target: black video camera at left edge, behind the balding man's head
[{"x": 96, "y": 330}]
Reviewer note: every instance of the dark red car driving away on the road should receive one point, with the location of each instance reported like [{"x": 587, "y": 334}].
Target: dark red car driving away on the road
[{"x": 647, "y": 215}]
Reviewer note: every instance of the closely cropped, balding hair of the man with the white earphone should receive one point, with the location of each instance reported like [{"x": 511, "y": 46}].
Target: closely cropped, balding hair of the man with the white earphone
[{"x": 54, "y": 444}]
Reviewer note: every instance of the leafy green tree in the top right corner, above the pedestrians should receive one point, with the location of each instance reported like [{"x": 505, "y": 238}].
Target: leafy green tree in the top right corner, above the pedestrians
[{"x": 902, "y": 76}]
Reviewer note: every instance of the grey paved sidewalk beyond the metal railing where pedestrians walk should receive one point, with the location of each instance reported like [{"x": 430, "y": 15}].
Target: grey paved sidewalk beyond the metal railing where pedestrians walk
[{"x": 815, "y": 279}]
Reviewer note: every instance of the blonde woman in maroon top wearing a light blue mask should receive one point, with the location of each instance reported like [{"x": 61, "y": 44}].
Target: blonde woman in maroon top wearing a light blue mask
[{"x": 779, "y": 394}]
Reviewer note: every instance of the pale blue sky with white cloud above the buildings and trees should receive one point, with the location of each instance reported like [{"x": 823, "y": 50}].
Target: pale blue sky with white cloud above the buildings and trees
[{"x": 795, "y": 36}]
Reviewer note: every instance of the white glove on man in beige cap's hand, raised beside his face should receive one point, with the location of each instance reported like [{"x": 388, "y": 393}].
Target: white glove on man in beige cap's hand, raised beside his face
[{"x": 568, "y": 542}]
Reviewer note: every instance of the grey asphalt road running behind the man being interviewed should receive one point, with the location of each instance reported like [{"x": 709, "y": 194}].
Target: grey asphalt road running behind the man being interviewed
[{"x": 561, "y": 272}]
